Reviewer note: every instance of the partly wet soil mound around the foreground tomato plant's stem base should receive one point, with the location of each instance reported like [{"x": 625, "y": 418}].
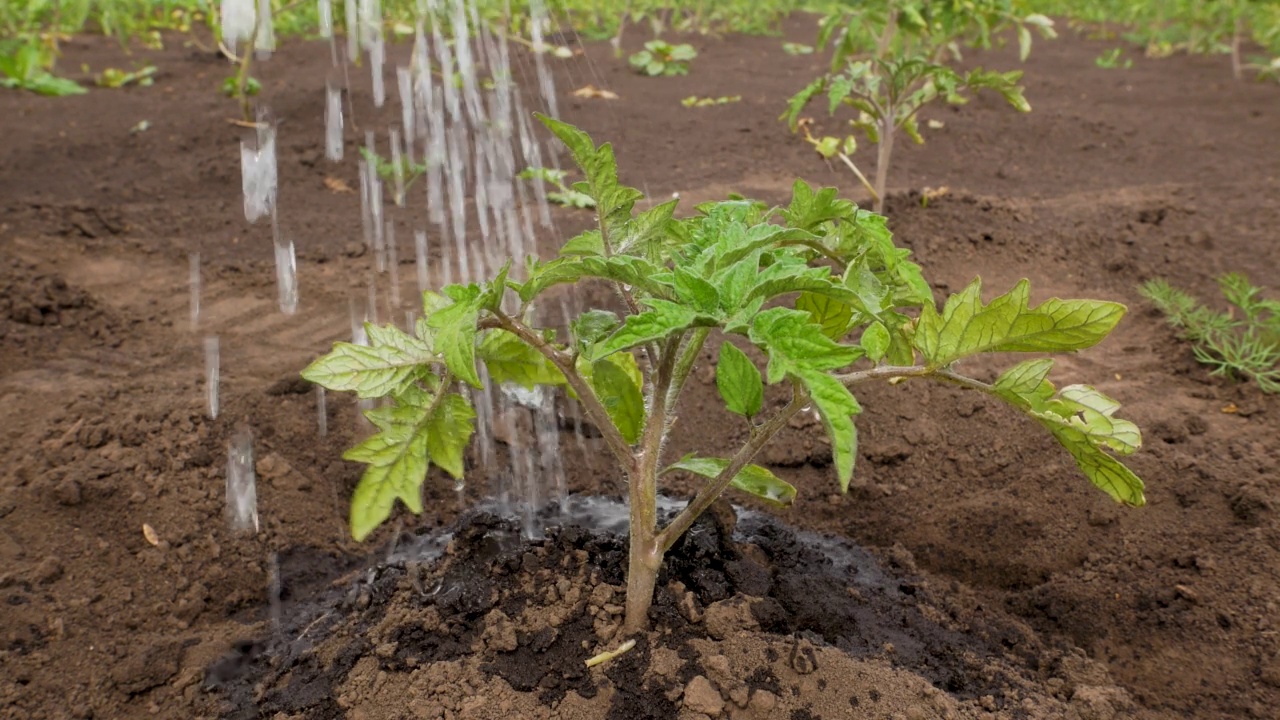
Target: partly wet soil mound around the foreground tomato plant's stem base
[{"x": 752, "y": 621}]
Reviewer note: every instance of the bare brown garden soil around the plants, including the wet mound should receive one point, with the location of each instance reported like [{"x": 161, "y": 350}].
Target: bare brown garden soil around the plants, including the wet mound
[{"x": 1011, "y": 586}]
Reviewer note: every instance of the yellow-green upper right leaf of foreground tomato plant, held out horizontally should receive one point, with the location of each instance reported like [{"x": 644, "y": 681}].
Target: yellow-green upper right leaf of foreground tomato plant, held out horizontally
[{"x": 1009, "y": 325}]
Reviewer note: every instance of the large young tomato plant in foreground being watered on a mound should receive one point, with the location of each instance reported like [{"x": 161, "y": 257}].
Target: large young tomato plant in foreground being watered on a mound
[{"x": 797, "y": 284}]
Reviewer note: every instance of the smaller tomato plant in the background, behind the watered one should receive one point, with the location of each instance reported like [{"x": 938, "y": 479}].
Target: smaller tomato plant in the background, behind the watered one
[{"x": 890, "y": 60}]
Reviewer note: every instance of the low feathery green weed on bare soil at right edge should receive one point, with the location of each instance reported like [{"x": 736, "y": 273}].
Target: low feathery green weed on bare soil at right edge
[{"x": 1244, "y": 343}]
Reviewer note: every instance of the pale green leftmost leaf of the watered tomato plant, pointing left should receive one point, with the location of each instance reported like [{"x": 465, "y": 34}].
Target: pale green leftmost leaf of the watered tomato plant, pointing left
[{"x": 374, "y": 371}]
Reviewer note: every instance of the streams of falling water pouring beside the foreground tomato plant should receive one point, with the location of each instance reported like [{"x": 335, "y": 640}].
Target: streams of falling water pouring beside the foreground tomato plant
[{"x": 465, "y": 126}]
